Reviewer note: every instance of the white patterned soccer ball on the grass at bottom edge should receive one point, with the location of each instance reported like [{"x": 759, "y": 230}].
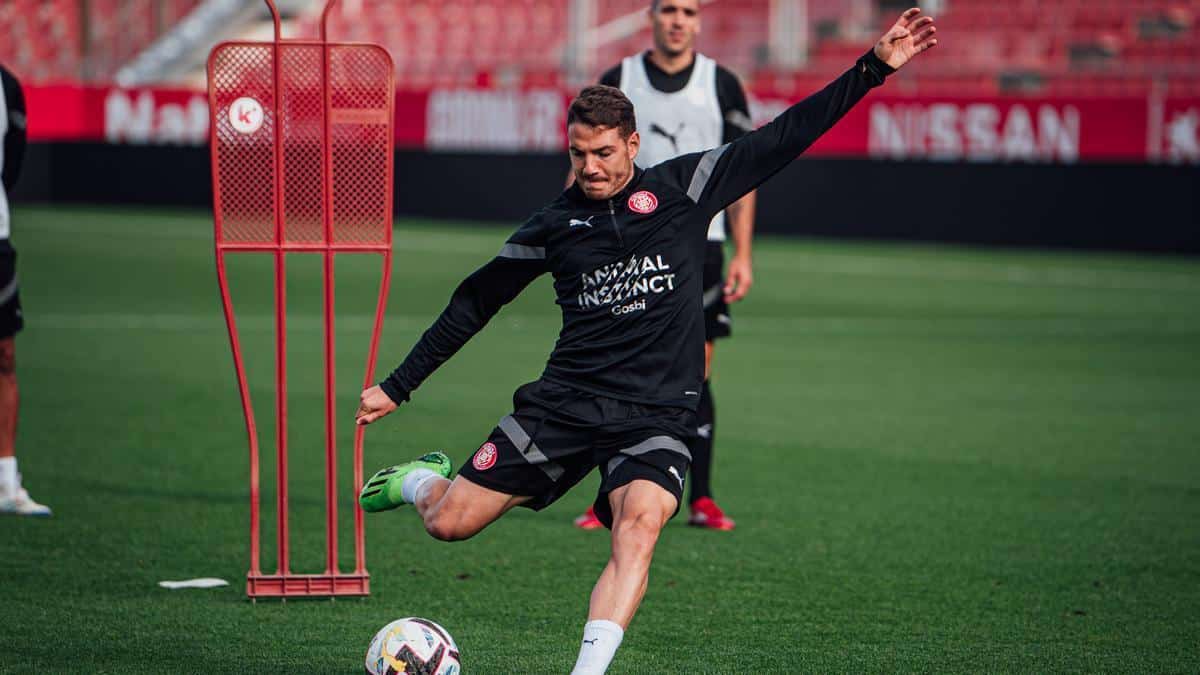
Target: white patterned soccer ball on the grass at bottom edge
[{"x": 413, "y": 647}]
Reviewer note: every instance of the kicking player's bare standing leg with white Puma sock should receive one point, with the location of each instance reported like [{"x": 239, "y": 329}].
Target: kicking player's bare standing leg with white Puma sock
[{"x": 640, "y": 511}]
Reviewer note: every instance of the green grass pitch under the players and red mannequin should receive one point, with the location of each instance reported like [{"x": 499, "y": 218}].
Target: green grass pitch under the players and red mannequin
[{"x": 940, "y": 459}]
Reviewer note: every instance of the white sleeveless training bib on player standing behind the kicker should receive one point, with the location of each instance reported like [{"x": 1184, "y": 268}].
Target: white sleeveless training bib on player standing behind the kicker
[{"x": 675, "y": 124}]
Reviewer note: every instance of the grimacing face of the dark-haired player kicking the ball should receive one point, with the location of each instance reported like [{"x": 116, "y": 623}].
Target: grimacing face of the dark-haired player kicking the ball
[{"x": 603, "y": 162}]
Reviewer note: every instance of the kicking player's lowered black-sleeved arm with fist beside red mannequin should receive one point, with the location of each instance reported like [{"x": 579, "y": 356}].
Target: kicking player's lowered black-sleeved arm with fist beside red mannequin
[{"x": 473, "y": 304}]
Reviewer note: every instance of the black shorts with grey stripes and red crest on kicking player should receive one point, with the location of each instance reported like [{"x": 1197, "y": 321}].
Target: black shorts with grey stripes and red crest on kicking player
[{"x": 557, "y": 435}]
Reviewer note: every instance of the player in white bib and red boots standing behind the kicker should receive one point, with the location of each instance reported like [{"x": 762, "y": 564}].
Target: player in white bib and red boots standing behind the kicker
[{"x": 686, "y": 103}]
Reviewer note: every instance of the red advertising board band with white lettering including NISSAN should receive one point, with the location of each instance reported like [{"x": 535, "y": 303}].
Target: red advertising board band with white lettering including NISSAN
[{"x": 503, "y": 121}]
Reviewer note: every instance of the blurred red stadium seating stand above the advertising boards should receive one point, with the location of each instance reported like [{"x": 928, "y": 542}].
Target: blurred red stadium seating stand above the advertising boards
[{"x": 1035, "y": 47}]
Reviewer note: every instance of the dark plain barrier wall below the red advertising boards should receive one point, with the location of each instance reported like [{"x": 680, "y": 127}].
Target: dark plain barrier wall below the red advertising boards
[{"x": 1118, "y": 207}]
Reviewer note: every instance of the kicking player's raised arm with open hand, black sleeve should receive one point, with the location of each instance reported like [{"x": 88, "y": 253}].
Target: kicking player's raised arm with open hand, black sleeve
[{"x": 722, "y": 176}]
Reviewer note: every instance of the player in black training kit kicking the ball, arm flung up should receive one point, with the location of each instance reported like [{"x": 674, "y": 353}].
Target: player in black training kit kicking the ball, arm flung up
[{"x": 627, "y": 248}]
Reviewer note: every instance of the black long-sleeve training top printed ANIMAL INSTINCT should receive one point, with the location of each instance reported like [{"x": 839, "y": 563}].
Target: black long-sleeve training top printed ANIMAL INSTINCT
[{"x": 628, "y": 270}]
